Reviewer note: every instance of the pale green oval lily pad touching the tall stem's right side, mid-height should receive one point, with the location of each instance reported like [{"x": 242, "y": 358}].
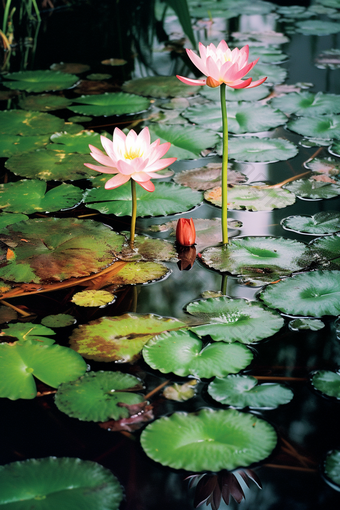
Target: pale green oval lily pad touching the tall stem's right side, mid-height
[{"x": 260, "y": 150}]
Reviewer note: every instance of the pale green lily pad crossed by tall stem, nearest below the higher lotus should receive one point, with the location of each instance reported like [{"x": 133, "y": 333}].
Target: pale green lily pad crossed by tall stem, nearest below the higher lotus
[{"x": 242, "y": 117}]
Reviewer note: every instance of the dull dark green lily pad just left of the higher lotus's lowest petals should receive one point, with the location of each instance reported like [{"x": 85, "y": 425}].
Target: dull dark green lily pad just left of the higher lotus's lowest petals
[{"x": 160, "y": 86}]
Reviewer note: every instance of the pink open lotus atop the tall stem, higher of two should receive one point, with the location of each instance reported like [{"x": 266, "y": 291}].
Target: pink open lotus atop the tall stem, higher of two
[{"x": 221, "y": 65}]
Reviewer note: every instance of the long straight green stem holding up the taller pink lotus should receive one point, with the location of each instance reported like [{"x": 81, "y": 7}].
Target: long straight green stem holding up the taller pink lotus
[{"x": 224, "y": 166}]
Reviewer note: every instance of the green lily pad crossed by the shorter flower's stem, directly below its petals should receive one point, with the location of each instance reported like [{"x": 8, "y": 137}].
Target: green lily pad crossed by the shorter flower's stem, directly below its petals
[{"x": 167, "y": 199}]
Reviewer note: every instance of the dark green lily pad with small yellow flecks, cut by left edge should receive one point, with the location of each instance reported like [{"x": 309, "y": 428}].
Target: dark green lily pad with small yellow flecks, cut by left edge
[{"x": 19, "y": 122}]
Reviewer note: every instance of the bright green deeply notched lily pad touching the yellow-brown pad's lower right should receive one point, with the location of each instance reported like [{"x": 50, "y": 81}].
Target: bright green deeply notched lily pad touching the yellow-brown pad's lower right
[{"x": 182, "y": 353}]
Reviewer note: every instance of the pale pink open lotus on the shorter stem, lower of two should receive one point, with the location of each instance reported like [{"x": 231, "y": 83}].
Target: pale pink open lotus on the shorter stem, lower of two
[{"x": 131, "y": 157}]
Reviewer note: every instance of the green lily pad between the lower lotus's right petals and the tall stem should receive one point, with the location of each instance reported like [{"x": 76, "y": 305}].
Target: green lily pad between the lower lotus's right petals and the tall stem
[{"x": 187, "y": 142}]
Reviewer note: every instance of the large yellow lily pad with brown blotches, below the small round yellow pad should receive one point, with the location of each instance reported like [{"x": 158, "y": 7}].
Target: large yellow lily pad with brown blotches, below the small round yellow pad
[{"x": 120, "y": 338}]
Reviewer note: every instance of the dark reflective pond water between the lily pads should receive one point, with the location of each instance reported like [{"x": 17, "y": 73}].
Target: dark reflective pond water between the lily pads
[{"x": 308, "y": 426}]
